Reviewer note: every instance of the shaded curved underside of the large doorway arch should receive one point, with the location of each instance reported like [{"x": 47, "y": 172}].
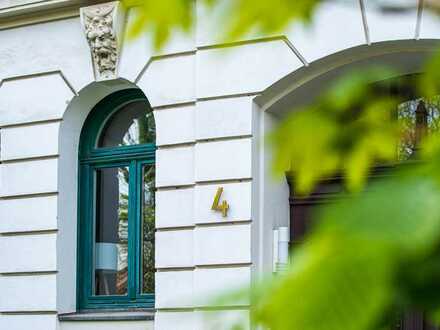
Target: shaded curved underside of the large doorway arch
[{"x": 303, "y": 85}]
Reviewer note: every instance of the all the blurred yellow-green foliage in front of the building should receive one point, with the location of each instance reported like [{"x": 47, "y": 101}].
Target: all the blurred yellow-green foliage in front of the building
[{"x": 375, "y": 252}]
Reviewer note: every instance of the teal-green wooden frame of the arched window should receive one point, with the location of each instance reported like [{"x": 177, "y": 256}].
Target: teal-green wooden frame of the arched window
[{"x": 91, "y": 159}]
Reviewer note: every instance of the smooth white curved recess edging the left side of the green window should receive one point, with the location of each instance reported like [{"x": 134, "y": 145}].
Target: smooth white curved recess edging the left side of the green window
[{"x": 69, "y": 135}]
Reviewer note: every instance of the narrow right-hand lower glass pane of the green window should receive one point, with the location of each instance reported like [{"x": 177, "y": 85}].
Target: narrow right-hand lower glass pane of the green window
[{"x": 148, "y": 227}]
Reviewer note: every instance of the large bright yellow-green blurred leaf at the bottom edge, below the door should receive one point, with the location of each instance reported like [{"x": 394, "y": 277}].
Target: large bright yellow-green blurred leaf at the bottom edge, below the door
[{"x": 334, "y": 284}]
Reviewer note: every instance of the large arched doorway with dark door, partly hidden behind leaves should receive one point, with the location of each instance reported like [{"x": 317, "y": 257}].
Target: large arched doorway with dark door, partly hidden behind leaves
[{"x": 299, "y": 89}]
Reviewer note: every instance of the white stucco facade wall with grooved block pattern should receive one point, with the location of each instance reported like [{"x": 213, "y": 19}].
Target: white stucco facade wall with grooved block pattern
[{"x": 209, "y": 134}]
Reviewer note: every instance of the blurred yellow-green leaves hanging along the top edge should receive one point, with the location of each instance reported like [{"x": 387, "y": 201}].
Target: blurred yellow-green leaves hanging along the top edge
[{"x": 239, "y": 16}]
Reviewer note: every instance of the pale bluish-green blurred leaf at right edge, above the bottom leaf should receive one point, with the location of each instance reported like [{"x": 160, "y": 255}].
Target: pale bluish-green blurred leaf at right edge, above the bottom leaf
[{"x": 403, "y": 212}]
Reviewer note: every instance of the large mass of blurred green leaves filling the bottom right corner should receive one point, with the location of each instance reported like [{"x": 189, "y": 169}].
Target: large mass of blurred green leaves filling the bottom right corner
[{"x": 352, "y": 273}]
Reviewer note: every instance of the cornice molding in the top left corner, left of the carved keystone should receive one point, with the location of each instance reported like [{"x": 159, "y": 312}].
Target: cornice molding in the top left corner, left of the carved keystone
[{"x": 42, "y": 11}]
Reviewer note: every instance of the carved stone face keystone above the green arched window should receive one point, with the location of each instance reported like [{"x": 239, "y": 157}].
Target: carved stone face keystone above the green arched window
[{"x": 103, "y": 28}]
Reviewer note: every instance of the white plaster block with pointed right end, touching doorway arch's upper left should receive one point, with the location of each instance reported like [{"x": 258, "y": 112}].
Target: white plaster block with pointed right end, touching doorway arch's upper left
[{"x": 241, "y": 69}]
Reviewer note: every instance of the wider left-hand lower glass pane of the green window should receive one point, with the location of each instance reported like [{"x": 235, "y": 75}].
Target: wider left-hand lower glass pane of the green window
[{"x": 111, "y": 231}]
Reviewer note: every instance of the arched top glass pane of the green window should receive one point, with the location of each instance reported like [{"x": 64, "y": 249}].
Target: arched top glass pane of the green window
[{"x": 133, "y": 124}]
